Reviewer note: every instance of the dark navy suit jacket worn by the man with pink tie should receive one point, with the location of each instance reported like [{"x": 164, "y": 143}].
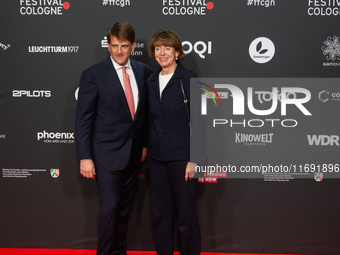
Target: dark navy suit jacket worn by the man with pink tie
[{"x": 105, "y": 131}]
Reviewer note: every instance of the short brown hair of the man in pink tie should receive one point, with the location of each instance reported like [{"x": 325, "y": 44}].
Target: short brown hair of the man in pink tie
[{"x": 122, "y": 31}]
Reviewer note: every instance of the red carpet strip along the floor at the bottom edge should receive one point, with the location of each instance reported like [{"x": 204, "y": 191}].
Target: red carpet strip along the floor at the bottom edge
[{"x": 11, "y": 251}]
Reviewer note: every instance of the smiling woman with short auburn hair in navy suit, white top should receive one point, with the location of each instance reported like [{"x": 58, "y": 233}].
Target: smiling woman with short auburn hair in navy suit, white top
[{"x": 172, "y": 183}]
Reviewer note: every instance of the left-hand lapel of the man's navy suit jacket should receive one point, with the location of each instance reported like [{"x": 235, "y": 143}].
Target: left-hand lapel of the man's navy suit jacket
[{"x": 115, "y": 82}]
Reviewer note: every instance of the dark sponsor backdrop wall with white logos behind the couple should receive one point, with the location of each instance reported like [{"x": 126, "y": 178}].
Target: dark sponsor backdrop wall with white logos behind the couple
[{"x": 257, "y": 44}]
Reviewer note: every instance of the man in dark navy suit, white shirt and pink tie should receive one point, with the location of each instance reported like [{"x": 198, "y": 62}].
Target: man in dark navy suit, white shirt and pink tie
[{"x": 110, "y": 133}]
